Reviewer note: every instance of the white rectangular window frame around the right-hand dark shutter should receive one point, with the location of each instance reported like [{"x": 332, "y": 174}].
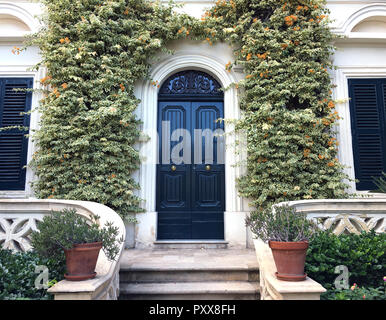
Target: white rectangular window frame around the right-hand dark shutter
[{"x": 344, "y": 133}]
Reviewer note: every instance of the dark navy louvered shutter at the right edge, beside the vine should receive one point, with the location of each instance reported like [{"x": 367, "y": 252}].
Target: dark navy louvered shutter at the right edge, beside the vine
[{"x": 367, "y": 108}]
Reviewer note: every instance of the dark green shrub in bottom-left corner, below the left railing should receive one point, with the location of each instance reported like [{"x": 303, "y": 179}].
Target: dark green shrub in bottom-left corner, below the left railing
[{"x": 17, "y": 274}]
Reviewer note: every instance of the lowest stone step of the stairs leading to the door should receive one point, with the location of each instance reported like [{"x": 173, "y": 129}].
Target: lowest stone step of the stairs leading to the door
[{"x": 213, "y": 290}]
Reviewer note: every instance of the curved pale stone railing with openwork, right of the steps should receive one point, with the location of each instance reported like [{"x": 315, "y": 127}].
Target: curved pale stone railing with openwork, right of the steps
[{"x": 340, "y": 216}]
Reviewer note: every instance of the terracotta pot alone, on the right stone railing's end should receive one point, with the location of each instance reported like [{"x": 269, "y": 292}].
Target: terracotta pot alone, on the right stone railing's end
[{"x": 290, "y": 258}]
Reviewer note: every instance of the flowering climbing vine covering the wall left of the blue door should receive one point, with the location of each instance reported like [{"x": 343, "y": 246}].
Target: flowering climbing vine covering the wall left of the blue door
[{"x": 94, "y": 52}]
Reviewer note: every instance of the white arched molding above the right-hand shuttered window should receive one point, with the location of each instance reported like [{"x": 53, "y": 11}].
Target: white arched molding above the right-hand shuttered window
[{"x": 366, "y": 12}]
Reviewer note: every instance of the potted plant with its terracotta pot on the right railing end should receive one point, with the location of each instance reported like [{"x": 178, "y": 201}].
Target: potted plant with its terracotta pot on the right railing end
[{"x": 287, "y": 233}]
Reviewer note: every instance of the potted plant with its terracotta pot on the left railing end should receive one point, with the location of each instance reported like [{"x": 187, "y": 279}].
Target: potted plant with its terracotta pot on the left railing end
[{"x": 66, "y": 235}]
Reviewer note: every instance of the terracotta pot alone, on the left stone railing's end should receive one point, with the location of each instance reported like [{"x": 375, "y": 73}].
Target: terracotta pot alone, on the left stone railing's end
[{"x": 81, "y": 261}]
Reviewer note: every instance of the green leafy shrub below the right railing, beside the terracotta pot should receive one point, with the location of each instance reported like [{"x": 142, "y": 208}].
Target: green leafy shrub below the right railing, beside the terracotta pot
[{"x": 363, "y": 255}]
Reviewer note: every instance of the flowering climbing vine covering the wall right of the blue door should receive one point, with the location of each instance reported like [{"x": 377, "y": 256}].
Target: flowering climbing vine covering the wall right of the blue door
[{"x": 285, "y": 48}]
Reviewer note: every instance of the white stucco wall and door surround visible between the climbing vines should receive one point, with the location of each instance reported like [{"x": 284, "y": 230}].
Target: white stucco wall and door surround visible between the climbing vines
[{"x": 361, "y": 54}]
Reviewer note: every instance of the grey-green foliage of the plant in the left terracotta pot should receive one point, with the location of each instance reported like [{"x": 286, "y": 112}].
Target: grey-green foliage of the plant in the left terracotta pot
[{"x": 62, "y": 229}]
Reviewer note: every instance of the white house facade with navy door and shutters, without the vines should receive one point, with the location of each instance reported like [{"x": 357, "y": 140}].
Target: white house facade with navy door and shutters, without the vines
[{"x": 199, "y": 202}]
